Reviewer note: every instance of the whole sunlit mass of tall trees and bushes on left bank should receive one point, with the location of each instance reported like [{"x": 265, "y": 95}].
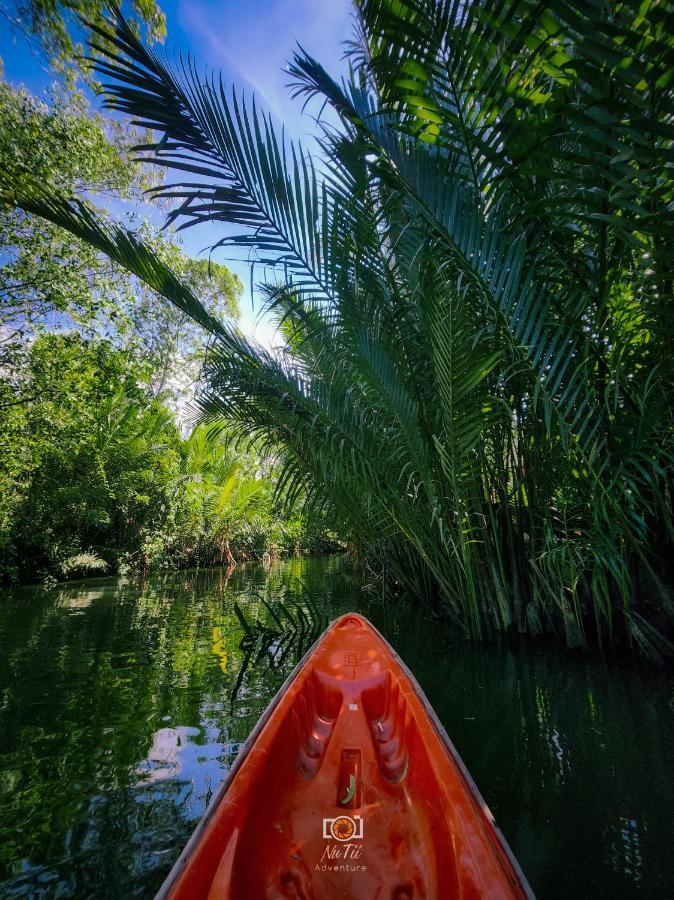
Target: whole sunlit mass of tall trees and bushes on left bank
[{"x": 98, "y": 469}]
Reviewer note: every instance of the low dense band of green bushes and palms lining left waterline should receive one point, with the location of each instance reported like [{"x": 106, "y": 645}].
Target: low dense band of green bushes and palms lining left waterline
[{"x": 95, "y": 476}]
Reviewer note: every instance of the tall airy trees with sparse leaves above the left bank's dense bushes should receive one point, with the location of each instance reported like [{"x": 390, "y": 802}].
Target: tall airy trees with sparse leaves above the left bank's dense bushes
[{"x": 48, "y": 280}]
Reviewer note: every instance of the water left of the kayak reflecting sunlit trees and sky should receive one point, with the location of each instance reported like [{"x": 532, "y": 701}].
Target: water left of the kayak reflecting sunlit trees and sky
[{"x": 89, "y": 676}]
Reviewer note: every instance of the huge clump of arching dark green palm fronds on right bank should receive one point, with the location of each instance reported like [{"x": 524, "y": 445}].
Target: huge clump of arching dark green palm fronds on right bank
[{"x": 474, "y": 277}]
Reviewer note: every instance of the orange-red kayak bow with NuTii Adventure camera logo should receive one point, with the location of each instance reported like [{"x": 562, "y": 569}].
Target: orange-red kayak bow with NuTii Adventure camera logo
[{"x": 348, "y": 787}]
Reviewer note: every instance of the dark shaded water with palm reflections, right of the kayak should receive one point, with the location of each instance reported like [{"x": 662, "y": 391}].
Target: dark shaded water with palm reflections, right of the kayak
[{"x": 562, "y": 749}]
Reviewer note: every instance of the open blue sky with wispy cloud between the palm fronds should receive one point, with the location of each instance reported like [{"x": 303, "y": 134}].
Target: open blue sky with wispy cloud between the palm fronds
[{"x": 250, "y": 41}]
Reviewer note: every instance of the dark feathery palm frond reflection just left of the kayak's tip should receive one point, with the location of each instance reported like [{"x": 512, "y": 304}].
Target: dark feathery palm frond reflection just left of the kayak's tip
[{"x": 284, "y": 636}]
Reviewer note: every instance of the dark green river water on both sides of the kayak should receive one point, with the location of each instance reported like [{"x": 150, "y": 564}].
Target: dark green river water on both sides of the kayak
[{"x": 118, "y": 720}]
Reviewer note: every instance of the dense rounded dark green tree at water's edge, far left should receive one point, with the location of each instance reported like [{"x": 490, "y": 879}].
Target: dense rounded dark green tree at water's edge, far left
[{"x": 98, "y": 456}]
